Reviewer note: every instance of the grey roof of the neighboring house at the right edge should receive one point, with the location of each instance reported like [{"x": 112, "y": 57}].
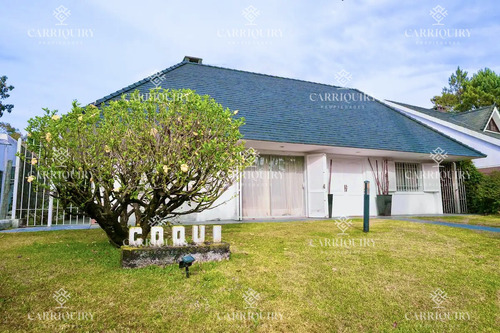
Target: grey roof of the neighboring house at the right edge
[{"x": 475, "y": 120}]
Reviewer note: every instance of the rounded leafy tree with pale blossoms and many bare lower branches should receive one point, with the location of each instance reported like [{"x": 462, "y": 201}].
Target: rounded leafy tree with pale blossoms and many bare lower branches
[{"x": 170, "y": 154}]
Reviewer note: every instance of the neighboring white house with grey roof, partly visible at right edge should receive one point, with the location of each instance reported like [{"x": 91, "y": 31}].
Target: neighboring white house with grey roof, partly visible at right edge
[{"x": 478, "y": 128}]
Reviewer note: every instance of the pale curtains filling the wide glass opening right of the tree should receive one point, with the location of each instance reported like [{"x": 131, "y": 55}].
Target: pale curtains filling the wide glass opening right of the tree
[{"x": 274, "y": 186}]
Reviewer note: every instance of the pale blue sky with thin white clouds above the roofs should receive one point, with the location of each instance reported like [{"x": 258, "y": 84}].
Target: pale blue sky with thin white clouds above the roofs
[{"x": 54, "y": 52}]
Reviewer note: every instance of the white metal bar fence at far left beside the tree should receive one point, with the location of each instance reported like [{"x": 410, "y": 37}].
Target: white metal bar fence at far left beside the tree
[{"x": 32, "y": 205}]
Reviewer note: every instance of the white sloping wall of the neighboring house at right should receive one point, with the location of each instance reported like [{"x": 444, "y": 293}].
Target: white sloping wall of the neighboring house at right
[{"x": 487, "y": 148}]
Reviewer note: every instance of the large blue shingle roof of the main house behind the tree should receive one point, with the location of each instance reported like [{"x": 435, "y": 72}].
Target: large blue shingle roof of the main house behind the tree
[{"x": 281, "y": 110}]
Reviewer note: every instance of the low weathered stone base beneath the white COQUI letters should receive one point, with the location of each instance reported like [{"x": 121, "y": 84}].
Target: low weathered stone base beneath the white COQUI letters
[{"x": 137, "y": 257}]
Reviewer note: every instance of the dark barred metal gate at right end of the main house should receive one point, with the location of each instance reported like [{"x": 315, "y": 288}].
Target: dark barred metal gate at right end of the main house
[{"x": 453, "y": 189}]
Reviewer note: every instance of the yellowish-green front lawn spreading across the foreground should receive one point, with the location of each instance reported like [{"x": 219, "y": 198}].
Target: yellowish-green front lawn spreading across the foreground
[{"x": 302, "y": 285}]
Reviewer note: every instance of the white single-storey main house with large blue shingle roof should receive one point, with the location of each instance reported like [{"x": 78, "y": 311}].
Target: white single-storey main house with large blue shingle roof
[{"x": 306, "y": 132}]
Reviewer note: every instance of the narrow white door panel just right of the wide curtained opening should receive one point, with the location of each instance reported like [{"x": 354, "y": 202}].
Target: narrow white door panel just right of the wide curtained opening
[{"x": 317, "y": 205}]
